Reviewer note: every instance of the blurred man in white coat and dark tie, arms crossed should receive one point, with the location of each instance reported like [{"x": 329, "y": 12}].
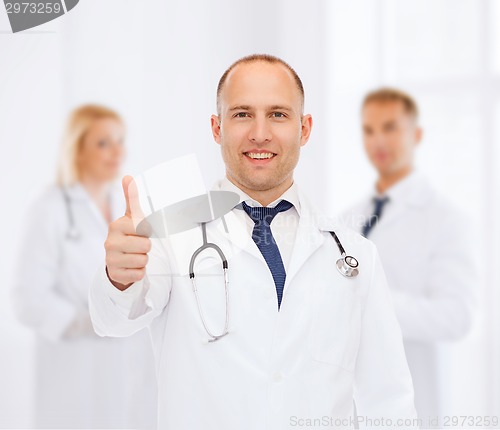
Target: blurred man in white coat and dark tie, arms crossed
[{"x": 424, "y": 244}]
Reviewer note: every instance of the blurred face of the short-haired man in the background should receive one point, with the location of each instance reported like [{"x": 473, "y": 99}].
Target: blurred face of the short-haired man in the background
[{"x": 390, "y": 136}]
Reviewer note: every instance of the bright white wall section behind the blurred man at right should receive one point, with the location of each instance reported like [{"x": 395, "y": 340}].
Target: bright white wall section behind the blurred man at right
[{"x": 446, "y": 55}]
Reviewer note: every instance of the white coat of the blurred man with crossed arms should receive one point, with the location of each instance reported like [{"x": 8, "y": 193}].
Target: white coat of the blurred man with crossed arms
[{"x": 426, "y": 249}]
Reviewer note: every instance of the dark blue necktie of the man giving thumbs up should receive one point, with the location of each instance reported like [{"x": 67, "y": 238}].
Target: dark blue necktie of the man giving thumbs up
[{"x": 263, "y": 238}]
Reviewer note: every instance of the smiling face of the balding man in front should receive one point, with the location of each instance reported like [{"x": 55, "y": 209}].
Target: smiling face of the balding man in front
[{"x": 260, "y": 128}]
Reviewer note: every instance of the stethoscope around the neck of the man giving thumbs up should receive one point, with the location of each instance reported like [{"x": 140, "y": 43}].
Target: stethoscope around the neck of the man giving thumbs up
[{"x": 347, "y": 265}]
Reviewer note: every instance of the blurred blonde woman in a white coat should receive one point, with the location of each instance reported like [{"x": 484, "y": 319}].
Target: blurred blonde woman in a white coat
[{"x": 82, "y": 380}]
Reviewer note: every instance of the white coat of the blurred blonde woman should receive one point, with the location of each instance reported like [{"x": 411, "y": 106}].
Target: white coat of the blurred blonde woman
[{"x": 85, "y": 381}]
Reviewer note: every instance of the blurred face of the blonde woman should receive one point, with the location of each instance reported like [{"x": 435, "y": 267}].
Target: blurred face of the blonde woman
[{"x": 101, "y": 152}]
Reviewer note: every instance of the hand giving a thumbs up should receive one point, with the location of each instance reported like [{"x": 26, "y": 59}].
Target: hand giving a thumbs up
[{"x": 126, "y": 251}]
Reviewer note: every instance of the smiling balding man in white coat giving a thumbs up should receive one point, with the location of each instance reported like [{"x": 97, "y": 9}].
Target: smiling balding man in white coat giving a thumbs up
[{"x": 303, "y": 340}]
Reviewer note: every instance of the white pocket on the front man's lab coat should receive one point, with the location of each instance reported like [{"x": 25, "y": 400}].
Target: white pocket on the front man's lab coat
[{"x": 336, "y": 324}]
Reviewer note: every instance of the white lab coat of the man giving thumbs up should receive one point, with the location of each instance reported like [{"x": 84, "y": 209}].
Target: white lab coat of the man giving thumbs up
[{"x": 334, "y": 338}]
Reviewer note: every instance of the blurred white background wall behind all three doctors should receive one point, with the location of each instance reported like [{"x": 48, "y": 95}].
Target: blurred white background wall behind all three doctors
[{"x": 158, "y": 63}]
